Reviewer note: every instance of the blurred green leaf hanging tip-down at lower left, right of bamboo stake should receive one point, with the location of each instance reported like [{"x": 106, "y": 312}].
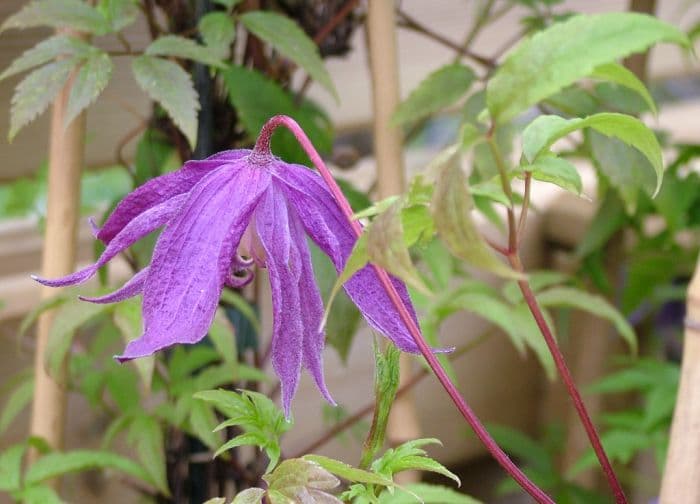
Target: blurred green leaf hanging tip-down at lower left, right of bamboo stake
[{"x": 146, "y": 436}]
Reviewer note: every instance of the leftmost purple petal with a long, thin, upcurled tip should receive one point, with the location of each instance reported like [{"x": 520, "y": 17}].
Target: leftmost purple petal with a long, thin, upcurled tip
[{"x": 142, "y": 225}]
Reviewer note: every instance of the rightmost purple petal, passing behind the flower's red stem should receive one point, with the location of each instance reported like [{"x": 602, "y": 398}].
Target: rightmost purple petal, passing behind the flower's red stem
[{"x": 326, "y": 225}]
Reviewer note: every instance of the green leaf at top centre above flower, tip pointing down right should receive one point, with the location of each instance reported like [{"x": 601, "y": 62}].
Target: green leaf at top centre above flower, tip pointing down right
[{"x": 285, "y": 36}]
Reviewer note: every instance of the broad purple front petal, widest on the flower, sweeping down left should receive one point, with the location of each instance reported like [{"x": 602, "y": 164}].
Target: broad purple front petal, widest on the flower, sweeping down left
[{"x": 192, "y": 258}]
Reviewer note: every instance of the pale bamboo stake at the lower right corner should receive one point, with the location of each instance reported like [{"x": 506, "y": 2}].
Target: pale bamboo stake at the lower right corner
[{"x": 681, "y": 478}]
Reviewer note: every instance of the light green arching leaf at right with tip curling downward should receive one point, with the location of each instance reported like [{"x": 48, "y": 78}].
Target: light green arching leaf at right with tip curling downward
[{"x": 541, "y": 133}]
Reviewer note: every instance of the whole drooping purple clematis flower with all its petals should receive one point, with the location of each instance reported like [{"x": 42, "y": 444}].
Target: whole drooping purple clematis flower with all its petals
[{"x": 220, "y": 216}]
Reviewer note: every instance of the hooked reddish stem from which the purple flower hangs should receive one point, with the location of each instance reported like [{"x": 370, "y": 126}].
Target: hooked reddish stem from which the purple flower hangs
[{"x": 262, "y": 147}]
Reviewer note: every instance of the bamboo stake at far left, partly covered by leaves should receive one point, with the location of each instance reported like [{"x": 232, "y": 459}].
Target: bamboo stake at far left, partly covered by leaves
[{"x": 66, "y": 156}]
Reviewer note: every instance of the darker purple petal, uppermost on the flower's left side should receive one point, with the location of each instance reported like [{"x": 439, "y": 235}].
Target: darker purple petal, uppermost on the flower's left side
[{"x": 162, "y": 188}]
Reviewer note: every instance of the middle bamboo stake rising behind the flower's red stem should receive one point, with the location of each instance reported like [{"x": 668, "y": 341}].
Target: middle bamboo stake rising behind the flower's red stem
[{"x": 388, "y": 150}]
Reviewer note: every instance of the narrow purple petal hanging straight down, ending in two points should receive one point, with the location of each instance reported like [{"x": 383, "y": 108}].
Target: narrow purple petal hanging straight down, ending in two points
[{"x": 296, "y": 301}]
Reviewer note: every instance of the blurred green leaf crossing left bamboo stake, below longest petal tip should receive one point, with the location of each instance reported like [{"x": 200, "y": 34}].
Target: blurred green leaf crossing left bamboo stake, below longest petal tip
[{"x": 68, "y": 319}]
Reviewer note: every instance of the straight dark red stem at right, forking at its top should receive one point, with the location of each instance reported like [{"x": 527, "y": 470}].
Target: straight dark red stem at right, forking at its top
[{"x": 514, "y": 238}]
